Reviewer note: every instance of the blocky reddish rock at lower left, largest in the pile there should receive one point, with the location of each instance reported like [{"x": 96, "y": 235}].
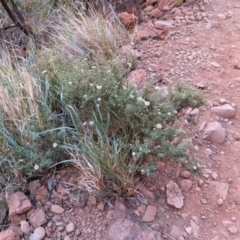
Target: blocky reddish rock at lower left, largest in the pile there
[{"x": 18, "y": 203}]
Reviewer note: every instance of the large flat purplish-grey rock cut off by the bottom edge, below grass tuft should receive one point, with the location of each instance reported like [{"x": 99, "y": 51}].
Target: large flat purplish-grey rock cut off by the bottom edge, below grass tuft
[{"x": 124, "y": 229}]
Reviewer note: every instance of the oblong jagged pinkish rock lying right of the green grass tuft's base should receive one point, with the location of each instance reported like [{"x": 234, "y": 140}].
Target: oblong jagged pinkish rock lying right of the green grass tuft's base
[{"x": 174, "y": 195}]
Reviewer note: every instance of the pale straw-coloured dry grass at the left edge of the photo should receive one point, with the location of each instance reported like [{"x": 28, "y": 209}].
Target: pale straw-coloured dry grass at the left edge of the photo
[{"x": 20, "y": 90}]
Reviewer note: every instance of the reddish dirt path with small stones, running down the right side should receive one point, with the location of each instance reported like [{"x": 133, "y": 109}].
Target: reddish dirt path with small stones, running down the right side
[{"x": 205, "y": 53}]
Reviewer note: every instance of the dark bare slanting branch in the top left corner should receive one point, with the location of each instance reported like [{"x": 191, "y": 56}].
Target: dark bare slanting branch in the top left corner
[{"x": 22, "y": 26}]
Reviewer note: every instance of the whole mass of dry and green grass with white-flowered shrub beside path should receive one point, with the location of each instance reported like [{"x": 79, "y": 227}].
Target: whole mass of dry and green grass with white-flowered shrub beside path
[{"x": 71, "y": 103}]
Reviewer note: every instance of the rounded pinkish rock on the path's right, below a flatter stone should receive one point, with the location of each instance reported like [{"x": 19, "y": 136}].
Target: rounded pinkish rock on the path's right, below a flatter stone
[{"x": 214, "y": 133}]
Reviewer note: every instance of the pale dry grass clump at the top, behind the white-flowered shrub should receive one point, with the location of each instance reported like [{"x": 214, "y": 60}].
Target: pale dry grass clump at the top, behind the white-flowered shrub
[{"x": 93, "y": 35}]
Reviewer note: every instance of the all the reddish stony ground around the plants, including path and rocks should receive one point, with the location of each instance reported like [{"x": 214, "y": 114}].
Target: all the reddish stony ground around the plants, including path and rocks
[{"x": 197, "y": 43}]
